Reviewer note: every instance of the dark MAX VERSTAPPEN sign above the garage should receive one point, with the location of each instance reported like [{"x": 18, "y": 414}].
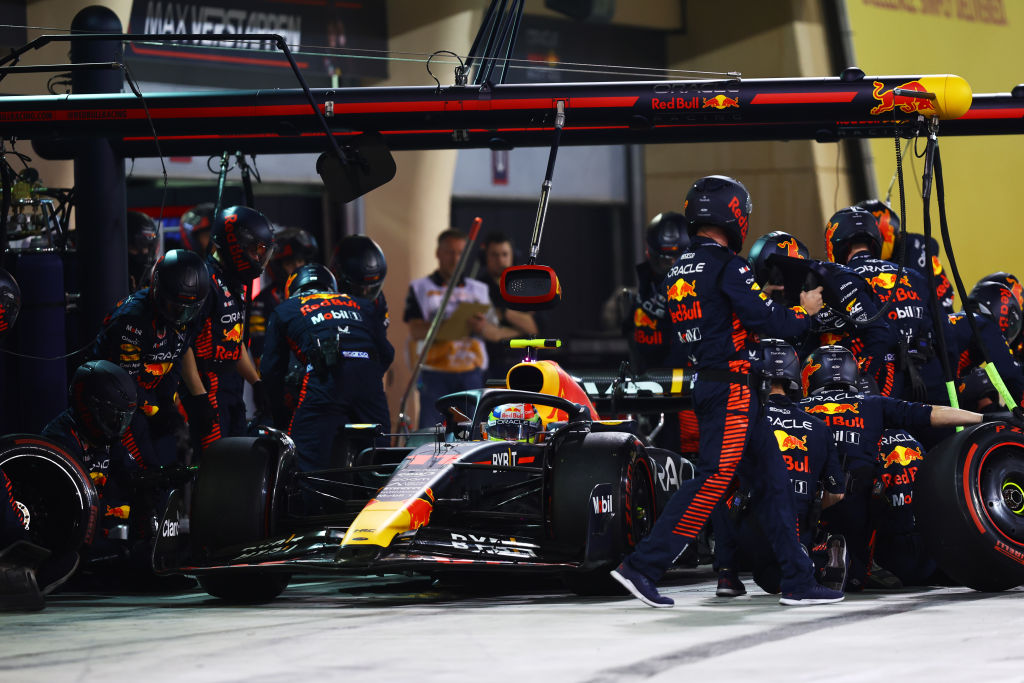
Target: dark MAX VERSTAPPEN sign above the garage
[{"x": 258, "y": 64}]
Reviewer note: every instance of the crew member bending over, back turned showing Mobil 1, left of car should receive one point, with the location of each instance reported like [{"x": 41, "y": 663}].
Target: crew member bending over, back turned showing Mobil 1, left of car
[{"x": 344, "y": 344}]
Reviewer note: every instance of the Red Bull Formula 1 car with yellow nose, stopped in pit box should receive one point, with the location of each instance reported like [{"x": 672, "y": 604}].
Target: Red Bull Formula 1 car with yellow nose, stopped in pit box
[{"x": 572, "y": 501}]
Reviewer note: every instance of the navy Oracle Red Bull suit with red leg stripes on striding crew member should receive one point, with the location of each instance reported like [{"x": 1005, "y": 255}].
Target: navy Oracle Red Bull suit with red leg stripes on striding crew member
[{"x": 714, "y": 303}]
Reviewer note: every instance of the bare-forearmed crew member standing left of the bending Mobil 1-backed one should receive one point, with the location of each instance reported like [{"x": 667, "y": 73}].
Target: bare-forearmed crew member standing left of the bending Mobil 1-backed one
[{"x": 243, "y": 244}]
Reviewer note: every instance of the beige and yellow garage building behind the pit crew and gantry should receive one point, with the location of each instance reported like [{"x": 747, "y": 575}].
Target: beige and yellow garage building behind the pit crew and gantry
[{"x": 603, "y": 197}]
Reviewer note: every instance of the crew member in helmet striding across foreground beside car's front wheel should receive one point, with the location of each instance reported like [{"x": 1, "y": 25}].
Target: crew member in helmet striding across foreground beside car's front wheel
[{"x": 715, "y": 307}]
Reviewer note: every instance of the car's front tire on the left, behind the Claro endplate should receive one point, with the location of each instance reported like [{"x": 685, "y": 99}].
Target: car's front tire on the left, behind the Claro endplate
[{"x": 235, "y": 503}]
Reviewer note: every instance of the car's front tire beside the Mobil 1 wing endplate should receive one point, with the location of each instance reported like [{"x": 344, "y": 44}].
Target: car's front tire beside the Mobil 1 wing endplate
[{"x": 603, "y": 504}]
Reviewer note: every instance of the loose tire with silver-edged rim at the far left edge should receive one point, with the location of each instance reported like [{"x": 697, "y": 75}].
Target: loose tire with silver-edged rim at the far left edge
[{"x": 56, "y": 496}]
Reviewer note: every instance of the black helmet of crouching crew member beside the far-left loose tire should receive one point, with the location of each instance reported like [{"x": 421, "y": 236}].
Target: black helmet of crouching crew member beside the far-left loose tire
[{"x": 104, "y": 399}]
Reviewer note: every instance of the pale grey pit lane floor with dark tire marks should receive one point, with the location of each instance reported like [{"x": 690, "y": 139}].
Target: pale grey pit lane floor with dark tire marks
[{"x": 397, "y": 629}]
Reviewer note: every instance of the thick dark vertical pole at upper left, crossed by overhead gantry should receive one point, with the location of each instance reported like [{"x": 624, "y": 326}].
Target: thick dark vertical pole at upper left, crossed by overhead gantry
[{"x": 100, "y": 180}]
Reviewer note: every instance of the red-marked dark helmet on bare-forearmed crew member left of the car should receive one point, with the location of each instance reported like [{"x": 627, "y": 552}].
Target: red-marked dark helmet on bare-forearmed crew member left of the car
[{"x": 245, "y": 242}]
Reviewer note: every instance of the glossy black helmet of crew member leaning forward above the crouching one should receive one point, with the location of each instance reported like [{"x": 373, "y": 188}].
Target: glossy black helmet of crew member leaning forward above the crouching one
[{"x": 181, "y": 285}]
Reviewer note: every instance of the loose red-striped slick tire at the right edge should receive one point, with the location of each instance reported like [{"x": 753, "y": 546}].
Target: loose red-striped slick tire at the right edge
[{"x": 969, "y": 504}]
